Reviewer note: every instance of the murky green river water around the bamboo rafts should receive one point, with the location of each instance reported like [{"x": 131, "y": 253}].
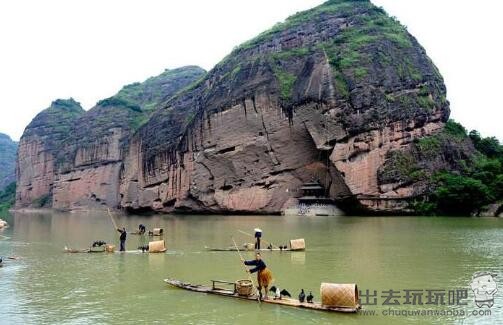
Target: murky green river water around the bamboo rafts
[{"x": 378, "y": 254}]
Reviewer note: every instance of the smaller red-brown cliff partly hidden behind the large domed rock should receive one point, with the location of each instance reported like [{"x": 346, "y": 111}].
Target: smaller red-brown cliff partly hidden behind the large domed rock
[{"x": 80, "y": 166}]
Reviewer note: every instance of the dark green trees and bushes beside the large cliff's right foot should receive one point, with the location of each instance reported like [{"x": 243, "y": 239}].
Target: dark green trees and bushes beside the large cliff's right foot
[{"x": 465, "y": 191}]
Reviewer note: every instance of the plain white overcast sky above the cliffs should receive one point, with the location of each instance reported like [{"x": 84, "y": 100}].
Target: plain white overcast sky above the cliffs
[{"x": 89, "y": 49}]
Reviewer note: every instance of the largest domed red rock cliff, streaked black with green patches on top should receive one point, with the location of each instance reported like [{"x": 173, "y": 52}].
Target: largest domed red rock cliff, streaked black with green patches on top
[{"x": 330, "y": 93}]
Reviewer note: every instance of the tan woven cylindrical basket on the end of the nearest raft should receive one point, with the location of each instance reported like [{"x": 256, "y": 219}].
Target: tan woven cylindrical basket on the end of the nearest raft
[{"x": 339, "y": 295}]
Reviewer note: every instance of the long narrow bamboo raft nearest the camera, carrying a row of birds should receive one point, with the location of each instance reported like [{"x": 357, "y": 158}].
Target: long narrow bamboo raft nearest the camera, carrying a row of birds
[{"x": 232, "y": 294}]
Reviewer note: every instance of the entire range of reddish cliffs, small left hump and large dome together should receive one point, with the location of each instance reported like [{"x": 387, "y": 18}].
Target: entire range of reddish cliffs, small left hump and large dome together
[{"x": 340, "y": 93}]
